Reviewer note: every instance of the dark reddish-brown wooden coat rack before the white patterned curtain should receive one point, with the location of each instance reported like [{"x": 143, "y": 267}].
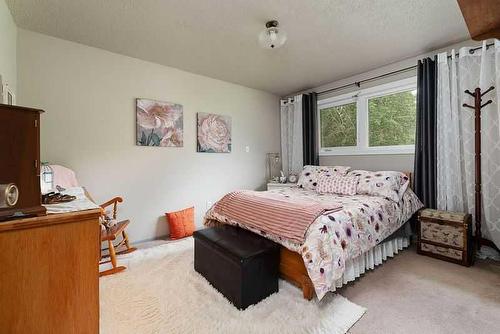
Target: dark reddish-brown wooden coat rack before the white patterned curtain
[{"x": 478, "y": 105}]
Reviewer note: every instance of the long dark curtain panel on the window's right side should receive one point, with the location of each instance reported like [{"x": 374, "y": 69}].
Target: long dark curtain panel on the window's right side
[{"x": 426, "y": 133}]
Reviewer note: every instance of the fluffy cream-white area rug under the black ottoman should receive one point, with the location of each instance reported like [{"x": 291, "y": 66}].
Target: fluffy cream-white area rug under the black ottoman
[{"x": 160, "y": 292}]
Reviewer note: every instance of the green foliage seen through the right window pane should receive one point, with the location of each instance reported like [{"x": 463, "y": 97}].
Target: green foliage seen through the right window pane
[{"x": 392, "y": 119}]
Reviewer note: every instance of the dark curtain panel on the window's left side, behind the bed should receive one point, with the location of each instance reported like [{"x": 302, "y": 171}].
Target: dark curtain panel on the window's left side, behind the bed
[{"x": 309, "y": 129}]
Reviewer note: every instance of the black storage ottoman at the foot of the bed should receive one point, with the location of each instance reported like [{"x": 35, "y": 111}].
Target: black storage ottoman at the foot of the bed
[{"x": 242, "y": 265}]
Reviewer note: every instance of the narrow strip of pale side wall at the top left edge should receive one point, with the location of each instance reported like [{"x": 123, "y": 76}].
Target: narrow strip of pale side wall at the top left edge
[{"x": 8, "y": 36}]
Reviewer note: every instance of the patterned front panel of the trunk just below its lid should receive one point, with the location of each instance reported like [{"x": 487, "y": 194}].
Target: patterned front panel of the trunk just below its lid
[{"x": 441, "y": 233}]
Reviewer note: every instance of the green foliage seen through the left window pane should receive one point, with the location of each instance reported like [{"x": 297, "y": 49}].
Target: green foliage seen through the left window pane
[{"x": 338, "y": 126}]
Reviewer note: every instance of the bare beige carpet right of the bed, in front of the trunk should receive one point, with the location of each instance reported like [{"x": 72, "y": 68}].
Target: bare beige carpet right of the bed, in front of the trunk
[{"x": 417, "y": 294}]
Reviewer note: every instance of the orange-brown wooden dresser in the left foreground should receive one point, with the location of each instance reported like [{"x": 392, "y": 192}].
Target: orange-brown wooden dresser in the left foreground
[{"x": 49, "y": 274}]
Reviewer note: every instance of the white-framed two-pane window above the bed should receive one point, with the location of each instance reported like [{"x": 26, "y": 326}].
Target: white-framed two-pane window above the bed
[{"x": 377, "y": 120}]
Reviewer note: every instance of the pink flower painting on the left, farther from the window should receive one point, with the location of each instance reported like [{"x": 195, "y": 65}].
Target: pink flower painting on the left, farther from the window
[{"x": 159, "y": 123}]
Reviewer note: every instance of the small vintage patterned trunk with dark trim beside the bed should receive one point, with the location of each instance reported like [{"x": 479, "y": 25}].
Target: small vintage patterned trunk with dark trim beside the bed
[{"x": 446, "y": 236}]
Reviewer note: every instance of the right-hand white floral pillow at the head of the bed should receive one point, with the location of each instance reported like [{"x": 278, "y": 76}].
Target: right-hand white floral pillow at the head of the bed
[{"x": 388, "y": 184}]
